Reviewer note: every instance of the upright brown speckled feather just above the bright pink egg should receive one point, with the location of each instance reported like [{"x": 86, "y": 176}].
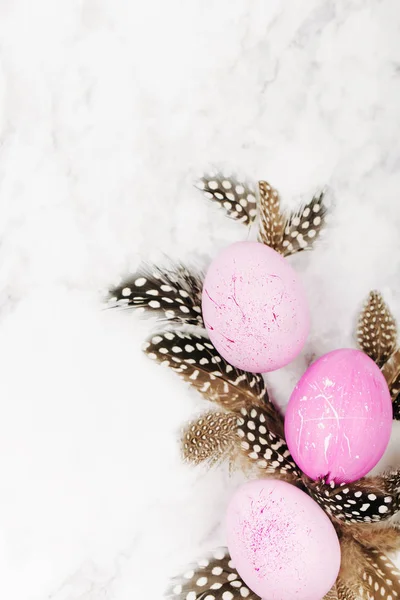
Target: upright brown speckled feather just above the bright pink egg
[{"x": 377, "y": 331}]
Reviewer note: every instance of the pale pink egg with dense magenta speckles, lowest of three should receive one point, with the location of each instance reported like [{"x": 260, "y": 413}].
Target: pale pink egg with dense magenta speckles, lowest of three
[{"x": 283, "y": 545}]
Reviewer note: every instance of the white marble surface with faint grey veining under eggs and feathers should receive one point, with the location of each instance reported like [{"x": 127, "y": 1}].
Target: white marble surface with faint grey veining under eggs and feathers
[{"x": 108, "y": 110}]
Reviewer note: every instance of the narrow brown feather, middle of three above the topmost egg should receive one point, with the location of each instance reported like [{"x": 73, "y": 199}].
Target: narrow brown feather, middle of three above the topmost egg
[{"x": 272, "y": 222}]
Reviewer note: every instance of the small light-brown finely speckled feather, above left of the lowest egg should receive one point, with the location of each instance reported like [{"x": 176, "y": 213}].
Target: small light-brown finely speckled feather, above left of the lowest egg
[{"x": 210, "y": 438}]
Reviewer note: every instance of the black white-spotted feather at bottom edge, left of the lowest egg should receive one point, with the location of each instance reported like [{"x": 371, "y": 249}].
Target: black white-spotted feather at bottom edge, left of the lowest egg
[{"x": 211, "y": 578}]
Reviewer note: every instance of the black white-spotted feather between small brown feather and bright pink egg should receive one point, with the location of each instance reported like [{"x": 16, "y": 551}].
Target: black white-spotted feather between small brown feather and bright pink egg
[{"x": 259, "y": 431}]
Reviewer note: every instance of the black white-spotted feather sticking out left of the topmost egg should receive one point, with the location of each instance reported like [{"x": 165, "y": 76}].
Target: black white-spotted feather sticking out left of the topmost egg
[{"x": 172, "y": 293}]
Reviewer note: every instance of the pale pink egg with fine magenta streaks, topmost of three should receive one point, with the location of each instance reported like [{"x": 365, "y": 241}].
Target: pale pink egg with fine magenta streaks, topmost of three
[{"x": 254, "y": 307}]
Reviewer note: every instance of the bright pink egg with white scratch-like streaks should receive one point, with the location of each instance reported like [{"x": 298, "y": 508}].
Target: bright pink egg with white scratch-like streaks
[{"x": 339, "y": 417}]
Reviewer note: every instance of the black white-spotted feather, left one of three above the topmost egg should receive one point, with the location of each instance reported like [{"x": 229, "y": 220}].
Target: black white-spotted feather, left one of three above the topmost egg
[{"x": 236, "y": 198}]
